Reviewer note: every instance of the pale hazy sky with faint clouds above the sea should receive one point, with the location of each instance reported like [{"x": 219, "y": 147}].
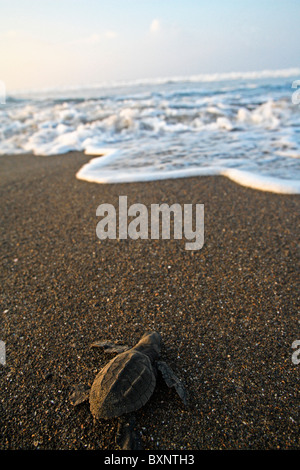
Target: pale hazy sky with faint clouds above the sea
[{"x": 66, "y": 43}]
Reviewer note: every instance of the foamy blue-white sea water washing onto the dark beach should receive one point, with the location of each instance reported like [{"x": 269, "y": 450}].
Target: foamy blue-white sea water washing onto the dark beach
[{"x": 245, "y": 126}]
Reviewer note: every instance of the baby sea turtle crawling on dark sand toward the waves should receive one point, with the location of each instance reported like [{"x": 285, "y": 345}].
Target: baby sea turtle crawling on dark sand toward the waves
[{"x": 126, "y": 383}]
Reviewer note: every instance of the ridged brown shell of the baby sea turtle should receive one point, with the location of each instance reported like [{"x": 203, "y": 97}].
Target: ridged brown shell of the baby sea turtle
[{"x": 124, "y": 385}]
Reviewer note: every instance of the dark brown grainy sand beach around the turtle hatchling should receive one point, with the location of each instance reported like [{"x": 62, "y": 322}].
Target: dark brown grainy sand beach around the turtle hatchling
[{"x": 228, "y": 313}]
